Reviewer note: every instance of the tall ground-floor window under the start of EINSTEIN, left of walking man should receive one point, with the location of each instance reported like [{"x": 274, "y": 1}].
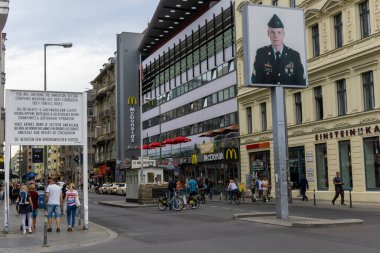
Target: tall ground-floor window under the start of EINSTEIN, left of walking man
[{"x": 322, "y": 168}]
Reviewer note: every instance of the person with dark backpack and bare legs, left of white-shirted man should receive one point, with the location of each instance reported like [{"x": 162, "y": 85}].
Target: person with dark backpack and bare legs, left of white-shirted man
[{"x": 25, "y": 209}]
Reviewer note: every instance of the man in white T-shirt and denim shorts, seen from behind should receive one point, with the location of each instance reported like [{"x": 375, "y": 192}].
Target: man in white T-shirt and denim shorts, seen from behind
[{"x": 54, "y": 203}]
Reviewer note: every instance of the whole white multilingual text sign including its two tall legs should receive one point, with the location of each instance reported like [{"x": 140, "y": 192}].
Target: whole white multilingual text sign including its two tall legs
[{"x": 45, "y": 118}]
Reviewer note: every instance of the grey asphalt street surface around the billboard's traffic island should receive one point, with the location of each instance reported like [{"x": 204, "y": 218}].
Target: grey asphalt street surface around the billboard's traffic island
[{"x": 211, "y": 228}]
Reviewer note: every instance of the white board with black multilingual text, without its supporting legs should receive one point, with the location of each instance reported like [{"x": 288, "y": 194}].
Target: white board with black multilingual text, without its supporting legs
[{"x": 44, "y": 118}]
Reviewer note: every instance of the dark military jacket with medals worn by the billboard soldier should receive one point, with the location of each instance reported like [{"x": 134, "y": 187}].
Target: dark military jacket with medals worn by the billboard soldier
[{"x": 288, "y": 71}]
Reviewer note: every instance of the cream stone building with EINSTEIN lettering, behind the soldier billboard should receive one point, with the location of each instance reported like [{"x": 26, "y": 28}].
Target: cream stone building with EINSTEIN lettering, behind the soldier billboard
[{"x": 334, "y": 124}]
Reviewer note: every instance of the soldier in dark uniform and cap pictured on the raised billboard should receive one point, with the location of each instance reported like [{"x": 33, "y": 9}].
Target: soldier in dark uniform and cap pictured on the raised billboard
[{"x": 277, "y": 63}]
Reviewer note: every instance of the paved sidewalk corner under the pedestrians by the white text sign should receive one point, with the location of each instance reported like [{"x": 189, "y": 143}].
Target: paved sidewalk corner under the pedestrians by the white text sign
[{"x": 15, "y": 241}]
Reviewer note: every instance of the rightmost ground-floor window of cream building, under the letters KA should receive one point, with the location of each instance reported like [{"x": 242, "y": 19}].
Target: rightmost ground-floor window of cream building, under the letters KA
[{"x": 372, "y": 162}]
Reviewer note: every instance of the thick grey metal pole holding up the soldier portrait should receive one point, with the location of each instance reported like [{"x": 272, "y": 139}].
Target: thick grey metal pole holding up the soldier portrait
[{"x": 280, "y": 151}]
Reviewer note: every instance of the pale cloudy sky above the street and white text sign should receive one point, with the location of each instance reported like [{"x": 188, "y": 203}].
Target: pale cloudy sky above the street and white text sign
[{"x": 91, "y": 25}]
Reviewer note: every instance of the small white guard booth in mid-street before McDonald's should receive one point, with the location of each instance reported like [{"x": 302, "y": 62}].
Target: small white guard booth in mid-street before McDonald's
[{"x": 138, "y": 177}]
